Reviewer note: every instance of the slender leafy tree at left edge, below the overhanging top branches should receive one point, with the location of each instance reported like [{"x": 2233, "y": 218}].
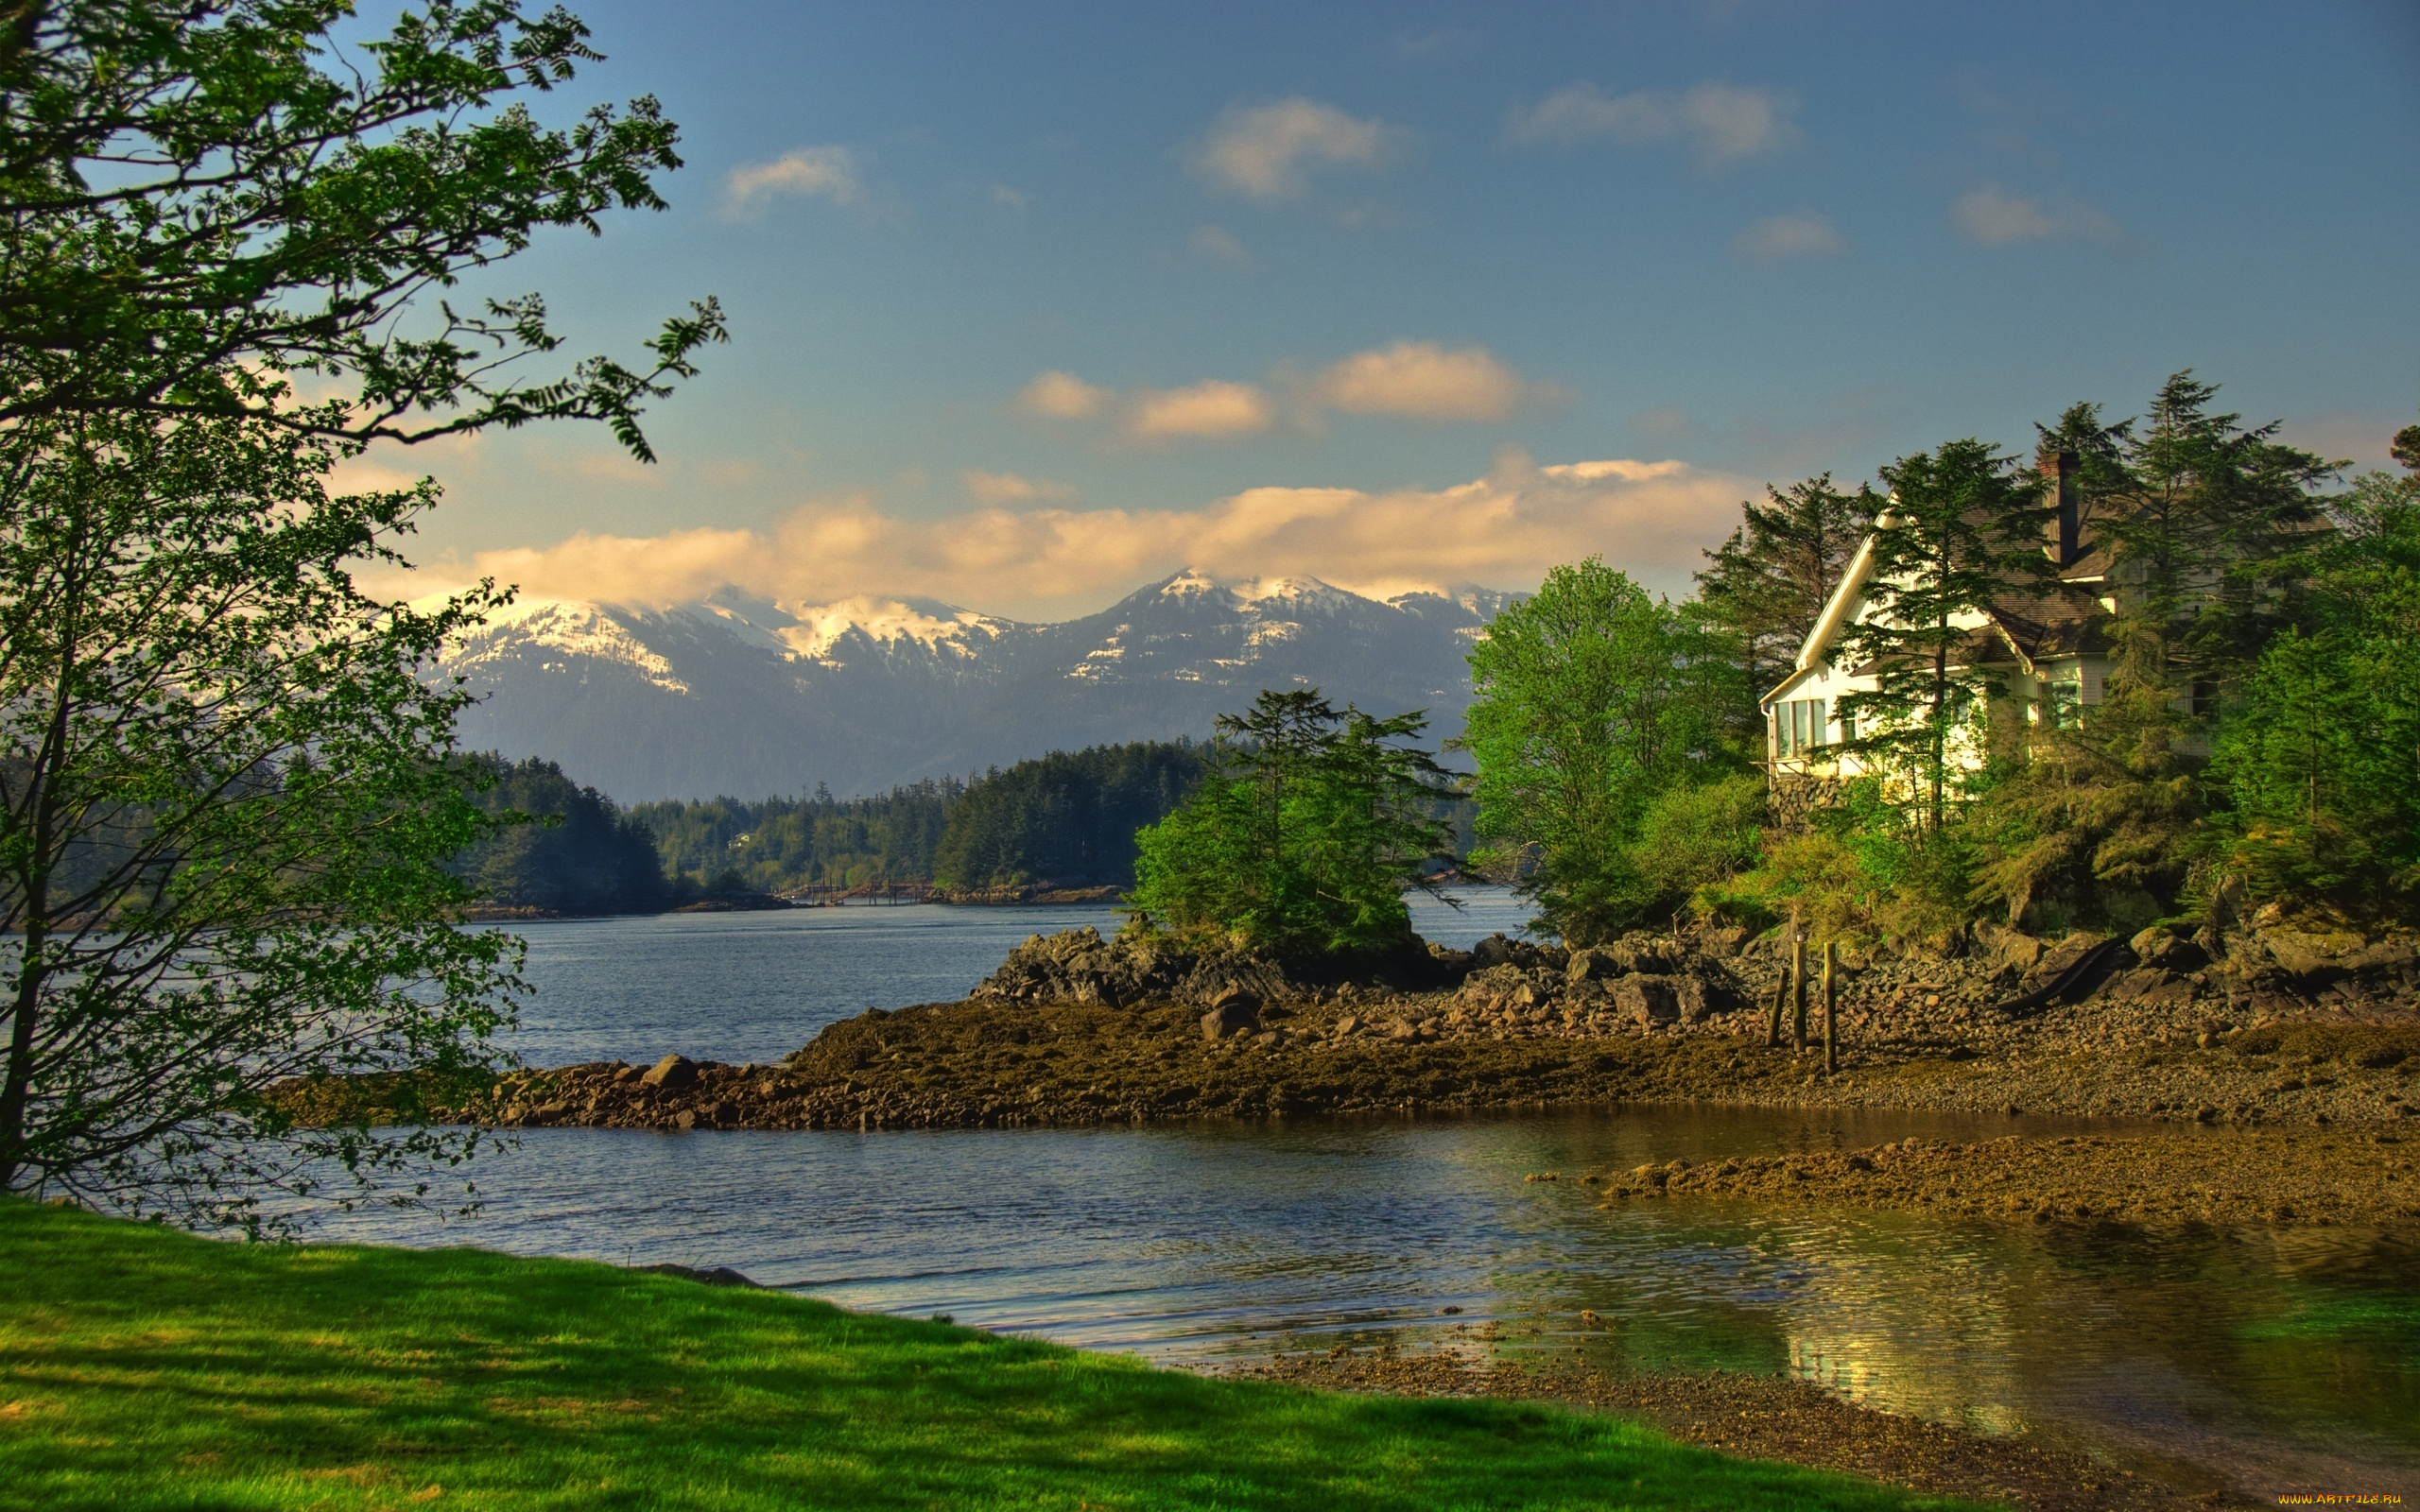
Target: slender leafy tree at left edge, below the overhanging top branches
[{"x": 224, "y": 819}]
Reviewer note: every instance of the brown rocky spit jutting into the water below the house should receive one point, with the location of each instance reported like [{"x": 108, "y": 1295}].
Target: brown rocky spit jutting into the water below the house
[{"x": 1081, "y": 1029}]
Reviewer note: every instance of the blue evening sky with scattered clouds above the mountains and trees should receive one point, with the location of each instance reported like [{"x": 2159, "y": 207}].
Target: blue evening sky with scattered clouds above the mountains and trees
[{"x": 1039, "y": 304}]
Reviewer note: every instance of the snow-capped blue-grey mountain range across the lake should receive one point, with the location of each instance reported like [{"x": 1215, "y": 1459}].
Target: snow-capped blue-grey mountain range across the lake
[{"x": 749, "y": 698}]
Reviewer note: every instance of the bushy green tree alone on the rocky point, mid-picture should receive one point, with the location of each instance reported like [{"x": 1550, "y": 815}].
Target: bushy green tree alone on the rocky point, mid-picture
[{"x": 1306, "y": 836}]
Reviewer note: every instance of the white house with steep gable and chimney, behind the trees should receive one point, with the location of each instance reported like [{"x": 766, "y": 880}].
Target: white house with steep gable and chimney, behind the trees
[{"x": 2051, "y": 654}]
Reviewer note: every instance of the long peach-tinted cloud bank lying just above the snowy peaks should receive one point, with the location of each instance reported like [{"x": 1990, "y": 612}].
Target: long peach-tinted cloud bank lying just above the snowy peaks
[{"x": 1504, "y": 531}]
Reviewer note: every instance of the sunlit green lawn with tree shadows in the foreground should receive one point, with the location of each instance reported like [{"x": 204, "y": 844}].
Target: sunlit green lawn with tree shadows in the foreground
[{"x": 144, "y": 1368}]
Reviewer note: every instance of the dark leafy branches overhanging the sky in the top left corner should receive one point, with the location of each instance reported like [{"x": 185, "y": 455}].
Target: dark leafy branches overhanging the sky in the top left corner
[{"x": 200, "y": 200}]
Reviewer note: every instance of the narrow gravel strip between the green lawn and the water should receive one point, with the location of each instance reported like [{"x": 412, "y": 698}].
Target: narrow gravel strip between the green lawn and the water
[{"x": 1768, "y": 1419}]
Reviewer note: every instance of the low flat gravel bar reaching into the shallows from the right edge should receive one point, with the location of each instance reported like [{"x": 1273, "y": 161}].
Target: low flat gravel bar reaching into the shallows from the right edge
[{"x": 2225, "y": 1177}]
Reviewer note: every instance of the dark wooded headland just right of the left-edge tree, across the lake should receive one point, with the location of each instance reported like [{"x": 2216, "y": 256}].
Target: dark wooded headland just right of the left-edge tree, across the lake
[{"x": 580, "y": 858}]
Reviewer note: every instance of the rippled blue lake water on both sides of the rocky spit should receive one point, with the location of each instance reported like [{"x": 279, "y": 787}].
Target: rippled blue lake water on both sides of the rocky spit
[{"x": 2259, "y": 1361}]
